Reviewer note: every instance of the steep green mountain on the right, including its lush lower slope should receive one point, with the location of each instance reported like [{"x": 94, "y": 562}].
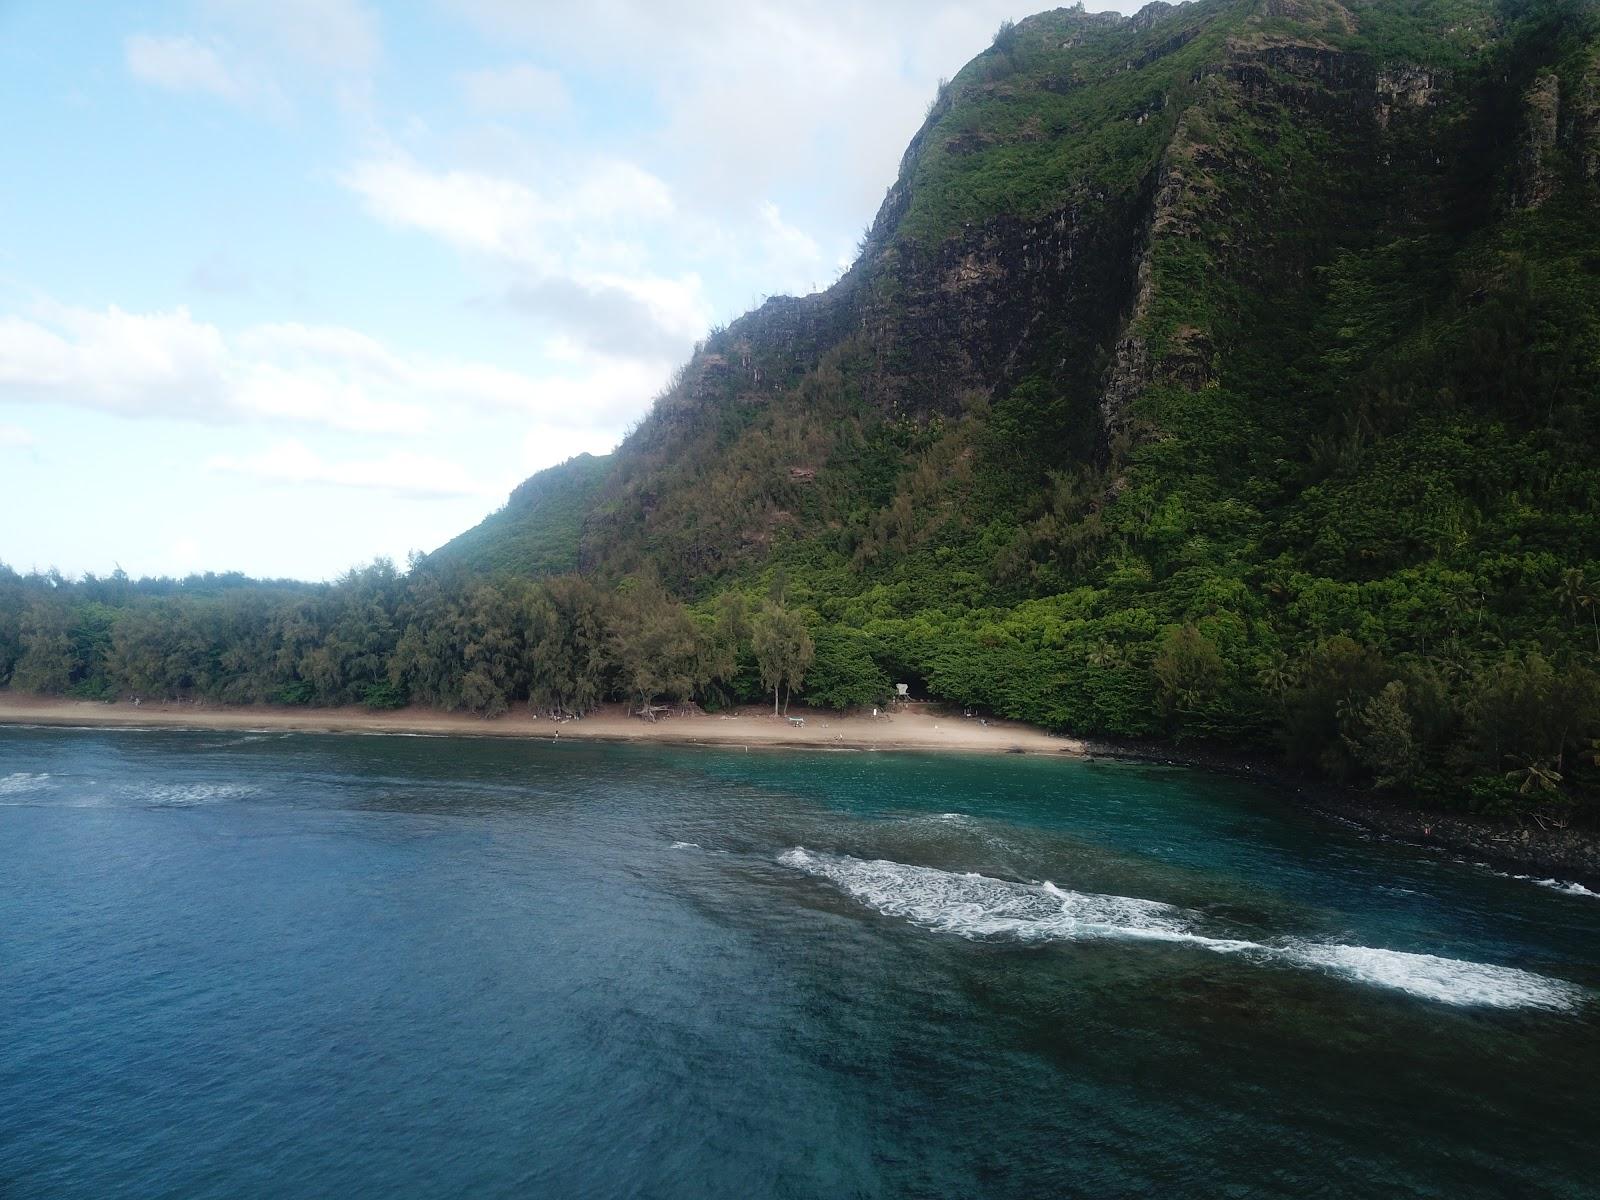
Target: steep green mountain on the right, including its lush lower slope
[{"x": 1210, "y": 334}]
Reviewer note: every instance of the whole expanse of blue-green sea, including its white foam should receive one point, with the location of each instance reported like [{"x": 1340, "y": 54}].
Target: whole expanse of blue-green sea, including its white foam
[{"x": 404, "y": 967}]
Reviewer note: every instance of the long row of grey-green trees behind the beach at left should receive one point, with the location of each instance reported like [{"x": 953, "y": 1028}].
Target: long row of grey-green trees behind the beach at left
[{"x": 433, "y": 636}]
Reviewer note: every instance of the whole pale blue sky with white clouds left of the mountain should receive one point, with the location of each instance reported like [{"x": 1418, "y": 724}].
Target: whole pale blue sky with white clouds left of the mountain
[{"x": 287, "y": 286}]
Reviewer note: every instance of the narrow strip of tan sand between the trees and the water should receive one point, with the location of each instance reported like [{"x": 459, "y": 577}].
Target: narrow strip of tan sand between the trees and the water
[{"x": 914, "y": 727}]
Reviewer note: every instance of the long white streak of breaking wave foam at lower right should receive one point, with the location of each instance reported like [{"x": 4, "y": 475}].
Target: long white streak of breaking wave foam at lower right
[{"x": 982, "y": 908}]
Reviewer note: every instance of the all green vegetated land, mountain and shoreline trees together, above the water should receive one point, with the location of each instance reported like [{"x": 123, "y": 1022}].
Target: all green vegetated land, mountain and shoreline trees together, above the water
[{"x": 1308, "y": 465}]
